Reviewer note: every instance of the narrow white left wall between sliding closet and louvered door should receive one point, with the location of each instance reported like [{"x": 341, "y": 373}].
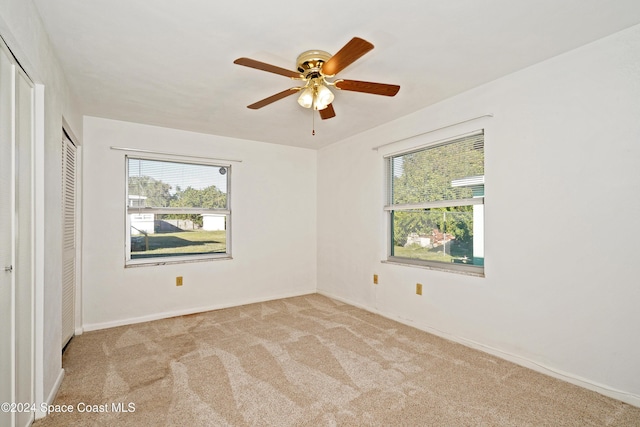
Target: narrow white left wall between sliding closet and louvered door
[{"x": 23, "y": 32}]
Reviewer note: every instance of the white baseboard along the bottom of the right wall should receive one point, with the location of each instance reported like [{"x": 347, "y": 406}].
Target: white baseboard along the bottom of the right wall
[{"x": 630, "y": 398}]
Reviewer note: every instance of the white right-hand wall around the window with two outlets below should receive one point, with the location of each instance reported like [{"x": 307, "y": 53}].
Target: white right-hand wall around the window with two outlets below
[{"x": 561, "y": 289}]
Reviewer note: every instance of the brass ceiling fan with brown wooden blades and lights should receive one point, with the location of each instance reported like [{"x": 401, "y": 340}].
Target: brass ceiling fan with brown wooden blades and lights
[{"x": 314, "y": 69}]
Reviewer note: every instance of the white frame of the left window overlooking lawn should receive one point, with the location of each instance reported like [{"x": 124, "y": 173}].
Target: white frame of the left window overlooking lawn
[{"x": 176, "y": 259}]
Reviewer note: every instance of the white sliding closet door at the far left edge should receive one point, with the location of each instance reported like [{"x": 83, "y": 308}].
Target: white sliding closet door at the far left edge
[{"x": 16, "y": 241}]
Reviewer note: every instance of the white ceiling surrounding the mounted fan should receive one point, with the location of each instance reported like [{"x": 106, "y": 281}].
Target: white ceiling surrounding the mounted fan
[{"x": 170, "y": 63}]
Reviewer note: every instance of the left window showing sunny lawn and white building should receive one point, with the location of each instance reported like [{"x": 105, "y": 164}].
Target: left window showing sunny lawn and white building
[{"x": 176, "y": 211}]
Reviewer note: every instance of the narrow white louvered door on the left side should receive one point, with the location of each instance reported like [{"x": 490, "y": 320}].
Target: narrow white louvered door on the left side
[{"x": 68, "y": 239}]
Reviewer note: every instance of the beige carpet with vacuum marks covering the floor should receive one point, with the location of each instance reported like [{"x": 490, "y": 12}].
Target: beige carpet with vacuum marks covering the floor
[{"x": 308, "y": 361}]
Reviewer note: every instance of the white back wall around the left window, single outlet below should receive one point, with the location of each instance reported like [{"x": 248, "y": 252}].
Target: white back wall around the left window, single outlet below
[{"x": 273, "y": 202}]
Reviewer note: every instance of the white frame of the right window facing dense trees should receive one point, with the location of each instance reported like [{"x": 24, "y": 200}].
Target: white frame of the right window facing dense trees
[{"x": 390, "y": 208}]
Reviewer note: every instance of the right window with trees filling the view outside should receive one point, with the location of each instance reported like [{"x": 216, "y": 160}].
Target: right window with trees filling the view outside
[{"x": 436, "y": 205}]
